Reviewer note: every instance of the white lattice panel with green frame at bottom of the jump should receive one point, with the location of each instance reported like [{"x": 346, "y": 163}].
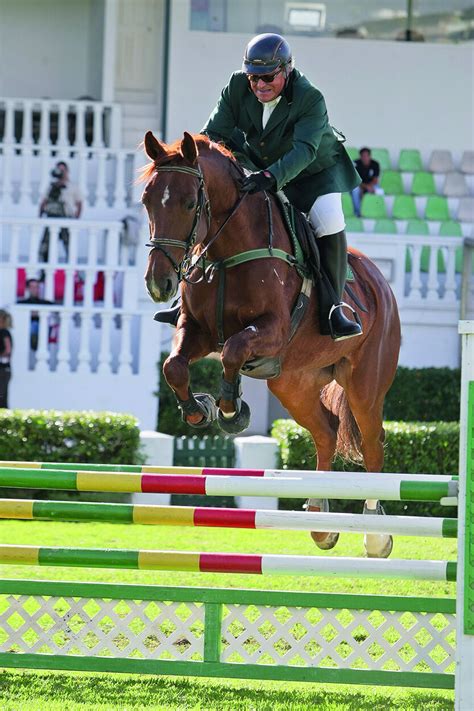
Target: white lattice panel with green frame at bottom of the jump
[{"x": 235, "y": 633}]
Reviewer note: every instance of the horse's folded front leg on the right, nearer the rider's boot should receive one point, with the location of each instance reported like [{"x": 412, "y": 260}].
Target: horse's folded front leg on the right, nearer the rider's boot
[{"x": 264, "y": 337}]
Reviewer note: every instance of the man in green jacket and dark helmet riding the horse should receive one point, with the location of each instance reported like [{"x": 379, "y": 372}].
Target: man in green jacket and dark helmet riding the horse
[{"x": 276, "y": 123}]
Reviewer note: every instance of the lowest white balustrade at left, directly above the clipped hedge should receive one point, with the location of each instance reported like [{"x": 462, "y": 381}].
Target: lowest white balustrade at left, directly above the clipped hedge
[{"x": 85, "y": 360}]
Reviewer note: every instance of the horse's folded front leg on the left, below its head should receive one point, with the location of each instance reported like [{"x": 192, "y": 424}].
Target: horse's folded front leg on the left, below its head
[{"x": 190, "y": 344}]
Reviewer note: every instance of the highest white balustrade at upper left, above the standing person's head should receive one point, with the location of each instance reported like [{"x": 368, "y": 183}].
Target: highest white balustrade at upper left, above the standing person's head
[{"x": 60, "y": 123}]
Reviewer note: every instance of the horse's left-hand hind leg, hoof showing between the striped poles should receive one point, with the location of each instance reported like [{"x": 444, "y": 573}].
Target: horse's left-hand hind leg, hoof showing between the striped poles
[{"x": 309, "y": 412}]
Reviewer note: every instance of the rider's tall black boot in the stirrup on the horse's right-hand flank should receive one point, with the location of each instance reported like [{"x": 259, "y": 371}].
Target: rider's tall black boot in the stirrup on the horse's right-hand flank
[{"x": 333, "y": 255}]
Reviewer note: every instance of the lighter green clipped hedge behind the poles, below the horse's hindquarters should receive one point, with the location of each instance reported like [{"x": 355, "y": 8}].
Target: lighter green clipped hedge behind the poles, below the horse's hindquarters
[{"x": 411, "y": 448}]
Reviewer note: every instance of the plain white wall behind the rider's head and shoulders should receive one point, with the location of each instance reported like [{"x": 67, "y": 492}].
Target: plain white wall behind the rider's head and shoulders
[{"x": 384, "y": 94}]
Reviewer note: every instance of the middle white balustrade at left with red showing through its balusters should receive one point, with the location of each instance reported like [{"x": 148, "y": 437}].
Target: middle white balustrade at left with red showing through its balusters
[{"x": 98, "y": 269}]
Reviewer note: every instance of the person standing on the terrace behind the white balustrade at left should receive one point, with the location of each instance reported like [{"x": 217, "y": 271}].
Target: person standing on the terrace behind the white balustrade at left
[{"x": 62, "y": 199}]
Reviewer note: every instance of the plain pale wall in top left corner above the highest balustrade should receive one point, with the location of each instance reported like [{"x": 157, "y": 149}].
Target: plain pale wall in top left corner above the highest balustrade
[{"x": 55, "y": 48}]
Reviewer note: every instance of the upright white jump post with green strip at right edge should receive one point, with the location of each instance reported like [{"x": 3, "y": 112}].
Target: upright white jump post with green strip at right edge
[{"x": 465, "y": 578}]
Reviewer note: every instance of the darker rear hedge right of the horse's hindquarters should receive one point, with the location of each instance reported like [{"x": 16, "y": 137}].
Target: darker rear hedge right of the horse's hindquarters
[{"x": 423, "y": 395}]
